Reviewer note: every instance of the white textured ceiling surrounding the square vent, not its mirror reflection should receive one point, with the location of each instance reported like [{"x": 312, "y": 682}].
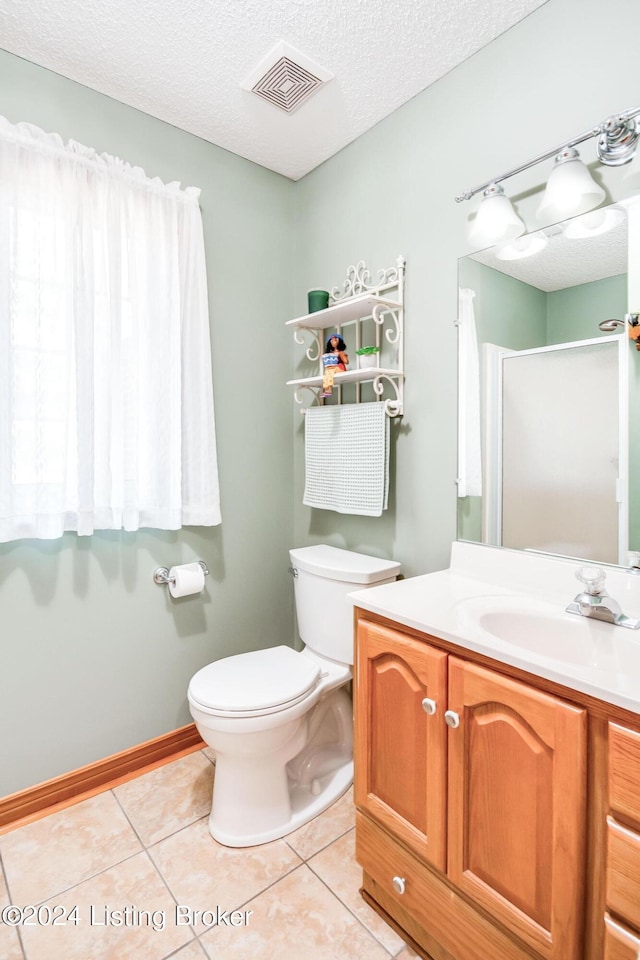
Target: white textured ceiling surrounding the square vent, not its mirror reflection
[{"x": 183, "y": 60}]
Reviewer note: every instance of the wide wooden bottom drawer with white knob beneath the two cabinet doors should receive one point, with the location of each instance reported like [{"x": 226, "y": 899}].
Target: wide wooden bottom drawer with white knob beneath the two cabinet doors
[{"x": 446, "y": 916}]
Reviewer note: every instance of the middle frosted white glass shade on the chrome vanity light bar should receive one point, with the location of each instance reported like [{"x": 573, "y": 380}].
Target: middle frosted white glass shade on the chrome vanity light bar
[{"x": 571, "y": 190}]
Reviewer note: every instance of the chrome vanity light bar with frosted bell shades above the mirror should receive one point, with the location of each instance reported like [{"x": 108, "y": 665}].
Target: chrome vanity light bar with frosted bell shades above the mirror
[{"x": 571, "y": 189}]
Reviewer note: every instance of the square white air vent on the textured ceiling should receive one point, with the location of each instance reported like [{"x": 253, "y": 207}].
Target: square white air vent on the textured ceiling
[{"x": 286, "y": 78}]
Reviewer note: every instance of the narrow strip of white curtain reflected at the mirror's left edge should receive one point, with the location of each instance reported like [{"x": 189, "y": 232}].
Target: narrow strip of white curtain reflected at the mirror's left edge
[{"x": 469, "y": 443}]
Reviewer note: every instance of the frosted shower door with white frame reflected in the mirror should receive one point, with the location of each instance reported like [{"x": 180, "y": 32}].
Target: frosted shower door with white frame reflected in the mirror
[{"x": 561, "y": 464}]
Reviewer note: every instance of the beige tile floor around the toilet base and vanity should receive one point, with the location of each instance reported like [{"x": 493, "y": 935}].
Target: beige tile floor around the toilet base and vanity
[{"x": 125, "y": 873}]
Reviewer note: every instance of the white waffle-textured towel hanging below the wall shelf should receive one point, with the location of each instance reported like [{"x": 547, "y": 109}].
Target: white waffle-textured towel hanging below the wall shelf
[{"x": 347, "y": 458}]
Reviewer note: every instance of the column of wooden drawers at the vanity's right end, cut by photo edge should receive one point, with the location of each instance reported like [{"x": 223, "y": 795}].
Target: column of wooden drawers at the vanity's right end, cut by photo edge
[{"x": 622, "y": 885}]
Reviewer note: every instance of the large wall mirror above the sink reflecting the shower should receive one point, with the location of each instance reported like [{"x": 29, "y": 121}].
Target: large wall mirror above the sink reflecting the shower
[{"x": 544, "y": 393}]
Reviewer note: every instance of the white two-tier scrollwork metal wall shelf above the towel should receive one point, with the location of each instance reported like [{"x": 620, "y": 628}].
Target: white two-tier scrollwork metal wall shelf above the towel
[{"x": 373, "y": 314}]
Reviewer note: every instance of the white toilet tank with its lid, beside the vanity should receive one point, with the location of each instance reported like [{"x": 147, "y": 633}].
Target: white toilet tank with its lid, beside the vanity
[{"x": 323, "y": 578}]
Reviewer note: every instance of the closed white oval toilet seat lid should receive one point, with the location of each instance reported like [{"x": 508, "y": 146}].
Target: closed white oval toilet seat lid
[{"x": 254, "y": 681}]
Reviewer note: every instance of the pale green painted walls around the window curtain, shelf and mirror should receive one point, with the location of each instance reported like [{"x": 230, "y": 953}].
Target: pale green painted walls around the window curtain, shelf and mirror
[{"x": 95, "y": 656}]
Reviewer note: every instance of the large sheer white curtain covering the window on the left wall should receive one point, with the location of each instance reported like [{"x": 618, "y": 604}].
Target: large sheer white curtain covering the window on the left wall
[{"x": 106, "y": 400}]
